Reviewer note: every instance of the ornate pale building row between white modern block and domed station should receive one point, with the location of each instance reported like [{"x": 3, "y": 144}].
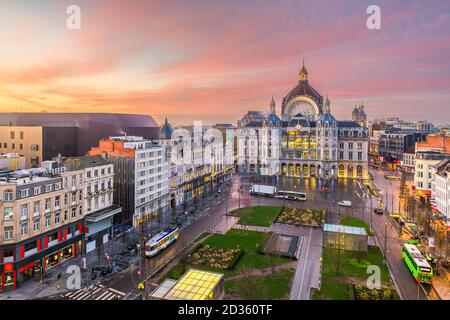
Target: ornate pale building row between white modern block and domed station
[{"x": 199, "y": 163}]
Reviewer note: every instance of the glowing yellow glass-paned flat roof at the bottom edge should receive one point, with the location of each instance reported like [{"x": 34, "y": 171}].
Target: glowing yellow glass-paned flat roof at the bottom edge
[{"x": 195, "y": 285}]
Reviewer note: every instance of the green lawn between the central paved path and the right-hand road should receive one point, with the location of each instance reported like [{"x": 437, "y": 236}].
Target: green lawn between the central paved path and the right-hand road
[{"x": 351, "y": 264}]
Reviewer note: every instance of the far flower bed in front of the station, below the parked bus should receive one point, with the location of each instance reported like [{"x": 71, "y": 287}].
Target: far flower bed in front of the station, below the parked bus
[{"x": 301, "y": 216}]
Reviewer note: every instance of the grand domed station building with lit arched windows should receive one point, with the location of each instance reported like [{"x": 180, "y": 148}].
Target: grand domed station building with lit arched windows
[{"x": 307, "y": 141}]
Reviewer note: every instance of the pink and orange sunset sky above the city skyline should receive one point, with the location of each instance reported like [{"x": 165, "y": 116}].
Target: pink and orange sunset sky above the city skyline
[{"x": 214, "y": 60}]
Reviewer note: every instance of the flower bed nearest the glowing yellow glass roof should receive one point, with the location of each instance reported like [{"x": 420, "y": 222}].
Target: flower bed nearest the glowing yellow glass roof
[{"x": 221, "y": 259}]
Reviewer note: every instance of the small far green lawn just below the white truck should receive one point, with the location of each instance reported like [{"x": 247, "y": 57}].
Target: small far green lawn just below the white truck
[{"x": 257, "y": 216}]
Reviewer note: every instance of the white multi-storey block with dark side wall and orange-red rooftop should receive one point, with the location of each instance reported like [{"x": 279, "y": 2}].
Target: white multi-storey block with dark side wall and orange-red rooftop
[{"x": 141, "y": 181}]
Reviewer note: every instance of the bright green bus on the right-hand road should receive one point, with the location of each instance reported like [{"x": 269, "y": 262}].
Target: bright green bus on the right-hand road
[{"x": 416, "y": 263}]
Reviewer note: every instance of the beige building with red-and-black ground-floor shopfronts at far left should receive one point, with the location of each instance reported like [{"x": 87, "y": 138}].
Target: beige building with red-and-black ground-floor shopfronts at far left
[{"x": 42, "y": 223}]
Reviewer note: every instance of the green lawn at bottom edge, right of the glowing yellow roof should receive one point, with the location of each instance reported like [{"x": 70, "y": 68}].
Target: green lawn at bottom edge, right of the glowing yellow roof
[{"x": 270, "y": 287}]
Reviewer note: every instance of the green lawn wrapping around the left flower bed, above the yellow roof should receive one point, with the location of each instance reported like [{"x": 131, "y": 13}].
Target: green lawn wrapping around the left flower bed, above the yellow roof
[{"x": 248, "y": 241}]
